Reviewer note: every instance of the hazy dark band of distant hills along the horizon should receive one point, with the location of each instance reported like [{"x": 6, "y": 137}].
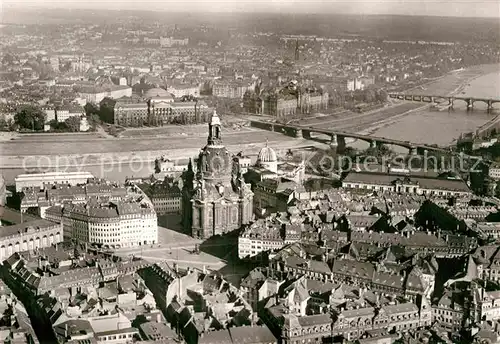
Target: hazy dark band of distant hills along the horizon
[{"x": 326, "y": 25}]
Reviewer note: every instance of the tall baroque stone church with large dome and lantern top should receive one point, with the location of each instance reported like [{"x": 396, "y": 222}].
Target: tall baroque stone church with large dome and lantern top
[{"x": 216, "y": 199}]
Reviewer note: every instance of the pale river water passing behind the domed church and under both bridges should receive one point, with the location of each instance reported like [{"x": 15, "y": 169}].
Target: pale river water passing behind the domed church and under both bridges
[{"x": 19, "y": 155}]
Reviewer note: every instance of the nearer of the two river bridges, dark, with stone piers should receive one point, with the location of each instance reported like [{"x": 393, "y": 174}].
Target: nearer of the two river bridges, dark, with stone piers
[{"x": 337, "y": 137}]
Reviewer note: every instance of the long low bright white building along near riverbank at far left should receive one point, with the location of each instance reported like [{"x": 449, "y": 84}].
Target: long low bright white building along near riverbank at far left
[{"x": 42, "y": 180}]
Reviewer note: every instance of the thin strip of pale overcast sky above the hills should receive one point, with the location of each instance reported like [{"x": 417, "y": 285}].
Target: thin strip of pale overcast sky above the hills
[{"x": 458, "y": 8}]
